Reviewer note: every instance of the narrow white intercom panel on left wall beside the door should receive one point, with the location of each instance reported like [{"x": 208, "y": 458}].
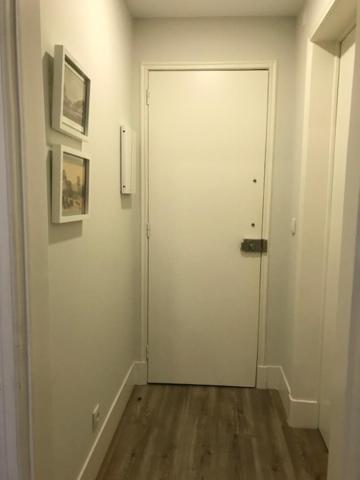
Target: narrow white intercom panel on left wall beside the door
[{"x": 128, "y": 160}]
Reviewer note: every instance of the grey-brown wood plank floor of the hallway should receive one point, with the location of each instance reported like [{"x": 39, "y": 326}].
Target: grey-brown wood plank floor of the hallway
[{"x": 210, "y": 433}]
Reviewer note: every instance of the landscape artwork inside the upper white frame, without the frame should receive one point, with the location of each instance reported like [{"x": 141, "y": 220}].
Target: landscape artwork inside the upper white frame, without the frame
[{"x": 74, "y": 97}]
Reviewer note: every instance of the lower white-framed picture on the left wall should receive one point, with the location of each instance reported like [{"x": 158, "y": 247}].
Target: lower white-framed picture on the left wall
[{"x": 70, "y": 185}]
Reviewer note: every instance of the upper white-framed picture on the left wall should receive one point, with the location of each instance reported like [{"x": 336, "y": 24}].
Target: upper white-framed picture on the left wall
[{"x": 71, "y": 96}]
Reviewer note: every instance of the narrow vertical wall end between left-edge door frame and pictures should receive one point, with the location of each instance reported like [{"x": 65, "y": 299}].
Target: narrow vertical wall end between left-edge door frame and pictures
[{"x": 35, "y": 206}]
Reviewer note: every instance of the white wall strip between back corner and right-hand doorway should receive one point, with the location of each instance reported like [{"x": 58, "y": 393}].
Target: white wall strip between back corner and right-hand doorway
[{"x": 310, "y": 200}]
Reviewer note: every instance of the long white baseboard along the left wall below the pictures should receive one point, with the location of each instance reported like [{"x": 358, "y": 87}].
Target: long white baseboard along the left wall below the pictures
[{"x": 137, "y": 375}]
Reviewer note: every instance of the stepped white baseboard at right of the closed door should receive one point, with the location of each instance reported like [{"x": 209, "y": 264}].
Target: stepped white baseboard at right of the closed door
[{"x": 300, "y": 413}]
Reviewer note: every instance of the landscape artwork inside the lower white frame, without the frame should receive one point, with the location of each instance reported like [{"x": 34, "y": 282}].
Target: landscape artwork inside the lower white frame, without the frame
[{"x": 73, "y": 185}]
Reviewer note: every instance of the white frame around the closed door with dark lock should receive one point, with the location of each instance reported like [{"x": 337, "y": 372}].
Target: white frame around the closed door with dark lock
[{"x": 146, "y": 68}]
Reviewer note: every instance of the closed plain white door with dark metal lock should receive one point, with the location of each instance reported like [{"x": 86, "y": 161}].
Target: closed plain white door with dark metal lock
[{"x": 207, "y": 139}]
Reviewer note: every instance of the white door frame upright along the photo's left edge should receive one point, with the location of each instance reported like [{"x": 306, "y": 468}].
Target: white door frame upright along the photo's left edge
[{"x": 15, "y": 419}]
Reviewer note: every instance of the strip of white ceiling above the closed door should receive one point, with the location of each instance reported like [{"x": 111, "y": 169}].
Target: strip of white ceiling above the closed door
[{"x": 213, "y": 8}]
